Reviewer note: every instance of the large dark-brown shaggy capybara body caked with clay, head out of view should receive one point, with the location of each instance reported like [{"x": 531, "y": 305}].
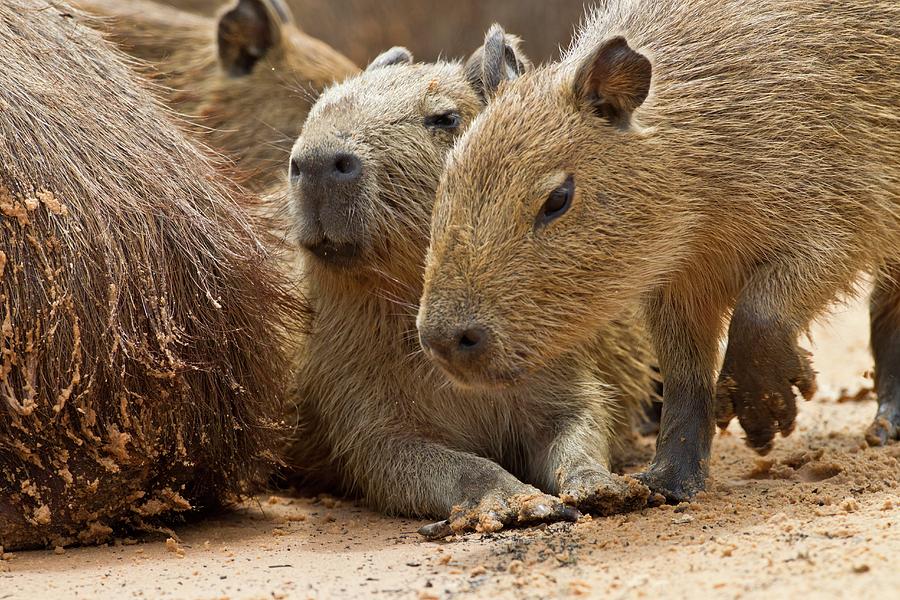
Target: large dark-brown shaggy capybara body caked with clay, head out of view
[{"x": 141, "y": 367}]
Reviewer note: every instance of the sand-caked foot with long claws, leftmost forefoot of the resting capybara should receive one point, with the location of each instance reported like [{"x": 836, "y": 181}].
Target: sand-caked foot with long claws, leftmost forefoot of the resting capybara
[{"x": 499, "y": 510}]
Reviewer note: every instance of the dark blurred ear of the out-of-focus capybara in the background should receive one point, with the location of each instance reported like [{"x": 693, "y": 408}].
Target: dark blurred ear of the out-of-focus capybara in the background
[{"x": 247, "y": 31}]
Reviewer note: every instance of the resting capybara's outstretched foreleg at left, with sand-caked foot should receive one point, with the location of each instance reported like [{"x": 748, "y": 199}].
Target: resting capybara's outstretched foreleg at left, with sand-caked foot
[{"x": 421, "y": 477}]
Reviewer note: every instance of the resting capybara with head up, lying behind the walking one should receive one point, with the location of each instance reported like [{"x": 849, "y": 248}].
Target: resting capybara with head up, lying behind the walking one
[{"x": 376, "y": 416}]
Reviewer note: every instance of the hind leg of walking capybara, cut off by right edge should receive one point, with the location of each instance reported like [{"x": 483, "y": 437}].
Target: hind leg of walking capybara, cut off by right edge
[{"x": 884, "y": 310}]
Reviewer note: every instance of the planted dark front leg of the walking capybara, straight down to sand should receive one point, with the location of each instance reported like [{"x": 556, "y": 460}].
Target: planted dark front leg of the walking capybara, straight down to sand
[{"x": 685, "y": 335}]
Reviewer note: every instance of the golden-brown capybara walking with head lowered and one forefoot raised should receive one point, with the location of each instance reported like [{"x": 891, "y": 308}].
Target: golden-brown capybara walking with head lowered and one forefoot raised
[{"x": 703, "y": 158}]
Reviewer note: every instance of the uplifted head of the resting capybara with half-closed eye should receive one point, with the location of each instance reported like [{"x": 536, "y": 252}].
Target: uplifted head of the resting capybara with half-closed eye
[{"x": 364, "y": 171}]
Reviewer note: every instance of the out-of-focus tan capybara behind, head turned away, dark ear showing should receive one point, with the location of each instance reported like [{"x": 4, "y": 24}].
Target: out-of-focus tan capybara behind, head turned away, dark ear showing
[{"x": 249, "y": 75}]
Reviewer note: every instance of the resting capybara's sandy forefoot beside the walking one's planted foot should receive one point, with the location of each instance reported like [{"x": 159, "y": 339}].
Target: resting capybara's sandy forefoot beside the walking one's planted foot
[{"x": 600, "y": 492}]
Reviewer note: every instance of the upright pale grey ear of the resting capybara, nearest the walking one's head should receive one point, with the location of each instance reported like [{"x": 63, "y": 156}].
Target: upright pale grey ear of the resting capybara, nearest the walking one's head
[{"x": 499, "y": 59}]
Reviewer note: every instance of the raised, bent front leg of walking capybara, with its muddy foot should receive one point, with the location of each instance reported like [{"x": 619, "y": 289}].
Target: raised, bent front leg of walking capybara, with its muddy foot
[{"x": 763, "y": 366}]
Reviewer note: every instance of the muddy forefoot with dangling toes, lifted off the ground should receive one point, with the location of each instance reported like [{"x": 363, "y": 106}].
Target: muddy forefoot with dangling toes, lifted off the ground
[{"x": 757, "y": 384}]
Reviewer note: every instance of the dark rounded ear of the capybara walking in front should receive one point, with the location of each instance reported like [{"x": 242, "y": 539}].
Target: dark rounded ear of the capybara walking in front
[{"x": 614, "y": 80}]
